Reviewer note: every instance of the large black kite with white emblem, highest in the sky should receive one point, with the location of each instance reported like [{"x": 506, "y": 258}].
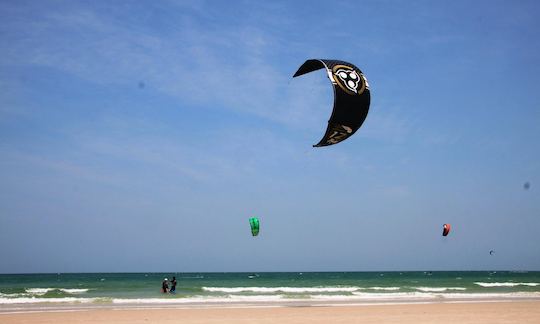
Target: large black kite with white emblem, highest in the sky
[{"x": 351, "y": 98}]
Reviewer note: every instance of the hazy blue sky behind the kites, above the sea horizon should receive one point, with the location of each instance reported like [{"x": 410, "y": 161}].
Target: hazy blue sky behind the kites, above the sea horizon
[{"x": 141, "y": 136}]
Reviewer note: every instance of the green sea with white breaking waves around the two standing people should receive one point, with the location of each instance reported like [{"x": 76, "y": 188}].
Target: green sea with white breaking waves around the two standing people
[{"x": 118, "y": 288}]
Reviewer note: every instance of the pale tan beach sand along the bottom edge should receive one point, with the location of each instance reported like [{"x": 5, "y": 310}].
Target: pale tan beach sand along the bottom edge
[{"x": 469, "y": 312}]
